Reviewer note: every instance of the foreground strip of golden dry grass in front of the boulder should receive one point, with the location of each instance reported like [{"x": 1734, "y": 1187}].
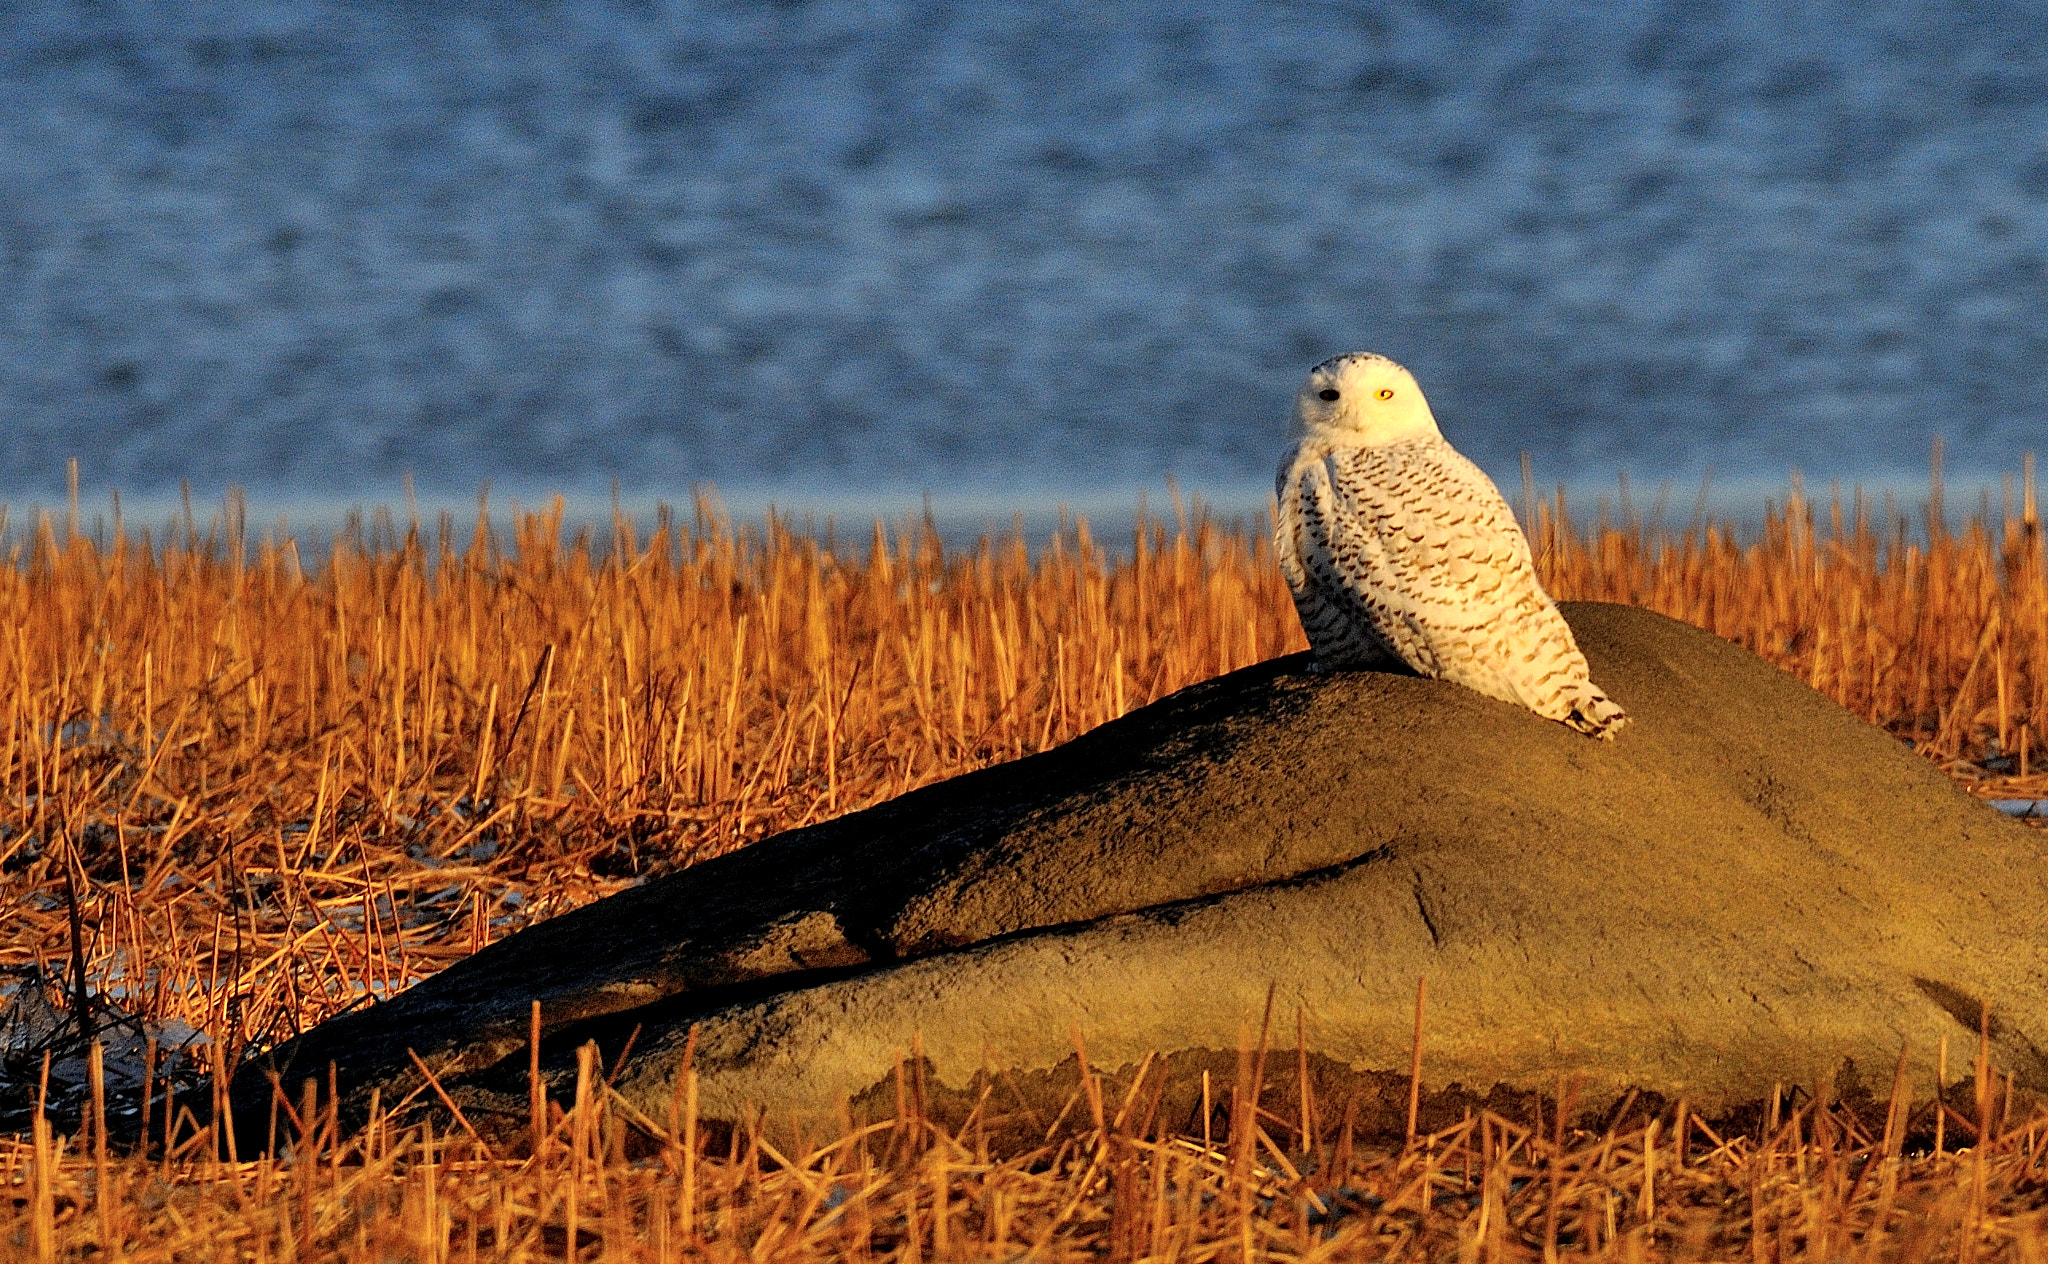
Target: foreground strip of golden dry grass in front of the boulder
[{"x": 1814, "y": 1185}]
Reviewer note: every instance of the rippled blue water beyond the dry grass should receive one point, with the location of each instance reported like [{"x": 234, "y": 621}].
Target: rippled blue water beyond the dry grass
[{"x": 1015, "y": 249}]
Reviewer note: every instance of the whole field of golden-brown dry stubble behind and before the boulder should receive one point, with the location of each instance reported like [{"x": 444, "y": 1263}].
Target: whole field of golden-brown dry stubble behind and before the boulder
[{"x": 247, "y": 790}]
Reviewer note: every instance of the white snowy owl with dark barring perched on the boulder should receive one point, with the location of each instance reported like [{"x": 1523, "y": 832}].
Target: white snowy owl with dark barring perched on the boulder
[{"x": 1398, "y": 548}]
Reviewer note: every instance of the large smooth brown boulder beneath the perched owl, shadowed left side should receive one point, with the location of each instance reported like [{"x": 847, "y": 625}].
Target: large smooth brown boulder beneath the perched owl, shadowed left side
[{"x": 1748, "y": 886}]
